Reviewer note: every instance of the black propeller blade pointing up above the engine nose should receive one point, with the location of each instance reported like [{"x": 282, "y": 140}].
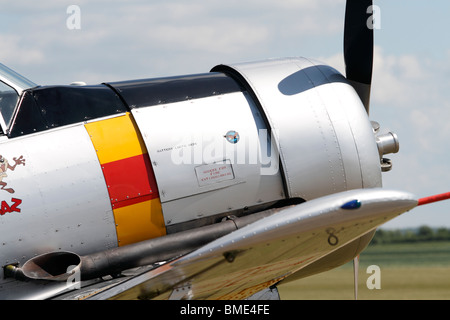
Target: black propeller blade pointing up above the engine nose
[{"x": 358, "y": 47}]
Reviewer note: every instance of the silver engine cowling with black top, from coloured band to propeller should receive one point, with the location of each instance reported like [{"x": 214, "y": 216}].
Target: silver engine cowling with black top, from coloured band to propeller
[{"x": 248, "y": 135}]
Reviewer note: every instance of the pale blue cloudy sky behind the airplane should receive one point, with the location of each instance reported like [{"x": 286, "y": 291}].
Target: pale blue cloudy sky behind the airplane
[{"x": 52, "y": 42}]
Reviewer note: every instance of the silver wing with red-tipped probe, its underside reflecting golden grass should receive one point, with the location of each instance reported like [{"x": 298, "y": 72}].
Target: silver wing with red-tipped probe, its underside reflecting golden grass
[{"x": 265, "y": 252}]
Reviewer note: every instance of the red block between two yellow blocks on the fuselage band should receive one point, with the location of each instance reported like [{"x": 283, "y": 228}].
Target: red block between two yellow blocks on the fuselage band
[{"x": 130, "y": 178}]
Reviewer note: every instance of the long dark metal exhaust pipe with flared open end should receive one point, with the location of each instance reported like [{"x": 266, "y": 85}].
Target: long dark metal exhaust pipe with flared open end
[{"x": 59, "y": 266}]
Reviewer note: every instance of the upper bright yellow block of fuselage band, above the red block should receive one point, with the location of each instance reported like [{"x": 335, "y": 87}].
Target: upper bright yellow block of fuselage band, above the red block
[{"x": 116, "y": 138}]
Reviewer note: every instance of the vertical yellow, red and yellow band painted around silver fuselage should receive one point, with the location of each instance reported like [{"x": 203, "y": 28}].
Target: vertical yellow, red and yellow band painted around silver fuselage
[{"x": 129, "y": 177}]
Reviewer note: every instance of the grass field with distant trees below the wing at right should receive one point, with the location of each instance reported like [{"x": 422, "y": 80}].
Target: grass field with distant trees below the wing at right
[{"x": 416, "y": 271}]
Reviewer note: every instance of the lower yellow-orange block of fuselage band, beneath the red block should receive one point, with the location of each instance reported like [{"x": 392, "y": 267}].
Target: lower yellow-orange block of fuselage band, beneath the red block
[{"x": 138, "y": 222}]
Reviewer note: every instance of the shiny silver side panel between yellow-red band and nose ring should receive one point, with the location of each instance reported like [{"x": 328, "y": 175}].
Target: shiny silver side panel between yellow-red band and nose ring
[{"x": 198, "y": 171}]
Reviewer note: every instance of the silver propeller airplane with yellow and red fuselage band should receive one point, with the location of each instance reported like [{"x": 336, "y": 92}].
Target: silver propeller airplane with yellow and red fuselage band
[{"x": 219, "y": 185}]
